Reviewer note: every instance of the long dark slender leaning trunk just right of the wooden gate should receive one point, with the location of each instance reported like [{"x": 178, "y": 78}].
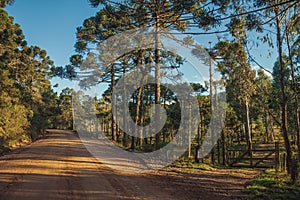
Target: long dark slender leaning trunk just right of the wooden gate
[{"x": 284, "y": 122}]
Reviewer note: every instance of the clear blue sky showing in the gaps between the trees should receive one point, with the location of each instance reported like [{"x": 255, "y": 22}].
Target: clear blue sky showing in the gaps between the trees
[{"x": 52, "y": 25}]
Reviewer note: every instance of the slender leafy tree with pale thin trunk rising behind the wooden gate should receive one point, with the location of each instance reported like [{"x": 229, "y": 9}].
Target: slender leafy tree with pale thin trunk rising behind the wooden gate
[{"x": 239, "y": 78}]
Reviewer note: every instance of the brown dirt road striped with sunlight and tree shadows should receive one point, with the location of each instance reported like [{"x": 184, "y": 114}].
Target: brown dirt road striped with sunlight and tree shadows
[{"x": 59, "y": 167}]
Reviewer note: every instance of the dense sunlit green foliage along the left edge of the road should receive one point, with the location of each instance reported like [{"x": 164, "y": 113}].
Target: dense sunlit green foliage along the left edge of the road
[{"x": 26, "y": 101}]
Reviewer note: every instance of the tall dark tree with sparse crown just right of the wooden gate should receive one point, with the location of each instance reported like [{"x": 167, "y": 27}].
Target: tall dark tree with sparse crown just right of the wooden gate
[{"x": 281, "y": 17}]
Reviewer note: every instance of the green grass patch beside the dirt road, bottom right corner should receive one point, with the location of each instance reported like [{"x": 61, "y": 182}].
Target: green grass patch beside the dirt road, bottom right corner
[{"x": 274, "y": 186}]
